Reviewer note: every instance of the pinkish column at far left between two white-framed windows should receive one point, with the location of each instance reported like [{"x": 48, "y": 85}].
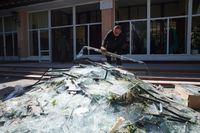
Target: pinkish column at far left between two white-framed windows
[{"x": 22, "y": 34}]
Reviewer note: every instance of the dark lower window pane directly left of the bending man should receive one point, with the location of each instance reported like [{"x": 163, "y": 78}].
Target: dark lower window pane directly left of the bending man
[{"x": 95, "y": 37}]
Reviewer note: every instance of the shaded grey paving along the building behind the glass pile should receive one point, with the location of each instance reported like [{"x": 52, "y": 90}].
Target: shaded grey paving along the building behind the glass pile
[{"x": 154, "y": 69}]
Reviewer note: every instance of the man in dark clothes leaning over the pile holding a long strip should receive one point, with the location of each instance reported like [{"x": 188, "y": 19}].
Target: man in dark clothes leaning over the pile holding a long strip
[{"x": 113, "y": 42}]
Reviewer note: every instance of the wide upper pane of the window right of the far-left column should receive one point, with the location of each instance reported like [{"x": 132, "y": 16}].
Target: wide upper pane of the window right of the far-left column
[{"x": 38, "y": 20}]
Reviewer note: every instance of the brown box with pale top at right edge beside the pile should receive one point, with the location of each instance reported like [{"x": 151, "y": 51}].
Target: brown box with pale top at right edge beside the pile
[{"x": 190, "y": 93}]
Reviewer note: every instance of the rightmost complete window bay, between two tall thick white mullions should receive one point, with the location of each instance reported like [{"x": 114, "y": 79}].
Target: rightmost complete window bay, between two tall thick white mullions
[{"x": 172, "y": 39}]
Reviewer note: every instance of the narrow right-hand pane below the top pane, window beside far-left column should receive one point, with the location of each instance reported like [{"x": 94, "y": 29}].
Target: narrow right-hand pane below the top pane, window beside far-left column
[{"x": 44, "y": 40}]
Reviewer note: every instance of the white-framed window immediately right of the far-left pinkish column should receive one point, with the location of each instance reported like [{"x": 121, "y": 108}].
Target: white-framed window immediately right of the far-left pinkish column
[{"x": 39, "y": 34}]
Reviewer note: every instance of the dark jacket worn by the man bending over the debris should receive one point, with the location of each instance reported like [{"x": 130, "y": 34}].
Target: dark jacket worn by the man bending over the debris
[{"x": 113, "y": 43}]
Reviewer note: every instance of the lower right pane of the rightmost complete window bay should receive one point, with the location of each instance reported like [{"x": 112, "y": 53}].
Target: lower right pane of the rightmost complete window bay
[{"x": 177, "y": 36}]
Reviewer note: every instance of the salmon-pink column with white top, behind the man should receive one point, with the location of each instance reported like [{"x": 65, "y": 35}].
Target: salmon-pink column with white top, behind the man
[{"x": 107, "y": 15}]
